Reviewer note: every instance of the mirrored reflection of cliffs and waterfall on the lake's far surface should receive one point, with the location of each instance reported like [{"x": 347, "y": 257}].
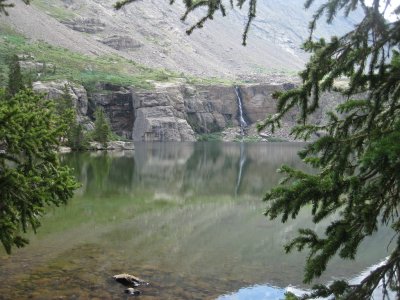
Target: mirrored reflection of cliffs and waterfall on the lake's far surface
[{"x": 185, "y": 169}]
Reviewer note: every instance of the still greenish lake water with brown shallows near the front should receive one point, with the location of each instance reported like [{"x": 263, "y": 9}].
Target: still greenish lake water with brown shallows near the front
[{"x": 187, "y": 217}]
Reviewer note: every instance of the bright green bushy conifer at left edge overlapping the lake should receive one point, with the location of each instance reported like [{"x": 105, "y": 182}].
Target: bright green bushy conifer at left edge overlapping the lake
[{"x": 31, "y": 177}]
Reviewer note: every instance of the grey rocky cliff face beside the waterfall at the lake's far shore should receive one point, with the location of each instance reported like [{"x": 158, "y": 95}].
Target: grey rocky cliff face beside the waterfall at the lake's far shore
[{"x": 177, "y": 112}]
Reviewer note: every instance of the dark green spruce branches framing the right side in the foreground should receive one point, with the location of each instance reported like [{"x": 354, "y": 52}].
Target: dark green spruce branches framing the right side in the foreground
[{"x": 357, "y": 159}]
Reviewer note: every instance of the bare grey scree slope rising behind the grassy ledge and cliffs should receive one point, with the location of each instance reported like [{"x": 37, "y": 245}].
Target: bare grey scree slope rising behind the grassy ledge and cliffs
[{"x": 151, "y": 34}]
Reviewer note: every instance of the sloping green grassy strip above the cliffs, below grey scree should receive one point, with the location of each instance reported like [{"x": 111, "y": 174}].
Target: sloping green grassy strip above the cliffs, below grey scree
[{"x": 84, "y": 69}]
